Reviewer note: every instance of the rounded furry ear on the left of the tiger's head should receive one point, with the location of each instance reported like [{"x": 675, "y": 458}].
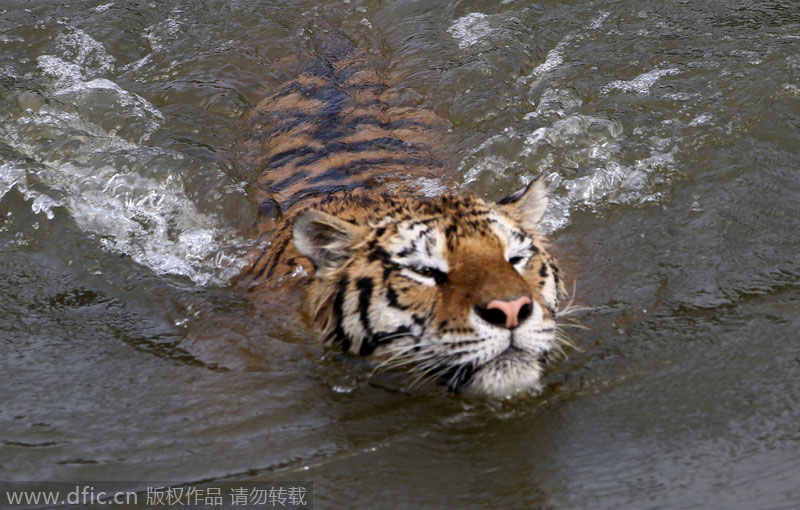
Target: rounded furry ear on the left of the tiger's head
[{"x": 325, "y": 239}]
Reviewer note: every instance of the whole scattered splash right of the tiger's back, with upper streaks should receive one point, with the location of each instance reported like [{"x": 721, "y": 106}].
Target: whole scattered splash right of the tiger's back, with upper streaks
[{"x": 585, "y": 155}]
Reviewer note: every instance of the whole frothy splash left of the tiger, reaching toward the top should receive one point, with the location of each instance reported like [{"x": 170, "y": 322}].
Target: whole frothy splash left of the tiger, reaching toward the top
[{"x": 83, "y": 147}]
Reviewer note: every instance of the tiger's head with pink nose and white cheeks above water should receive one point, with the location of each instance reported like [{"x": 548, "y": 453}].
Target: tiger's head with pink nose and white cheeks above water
[{"x": 455, "y": 289}]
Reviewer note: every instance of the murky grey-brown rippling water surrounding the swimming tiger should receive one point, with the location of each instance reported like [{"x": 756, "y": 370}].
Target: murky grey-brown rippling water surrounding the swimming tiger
[{"x": 669, "y": 132}]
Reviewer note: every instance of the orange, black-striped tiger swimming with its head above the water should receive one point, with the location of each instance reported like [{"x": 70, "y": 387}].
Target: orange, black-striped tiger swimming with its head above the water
[{"x": 446, "y": 287}]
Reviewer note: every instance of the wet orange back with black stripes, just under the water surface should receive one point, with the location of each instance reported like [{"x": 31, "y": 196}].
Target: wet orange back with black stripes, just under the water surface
[{"x": 339, "y": 127}]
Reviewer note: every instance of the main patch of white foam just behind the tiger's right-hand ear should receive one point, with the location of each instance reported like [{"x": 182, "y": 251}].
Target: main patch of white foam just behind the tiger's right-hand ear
[{"x": 580, "y": 155}]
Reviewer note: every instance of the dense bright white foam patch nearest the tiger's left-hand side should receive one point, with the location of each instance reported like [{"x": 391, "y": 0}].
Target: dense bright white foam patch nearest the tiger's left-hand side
[{"x": 154, "y": 222}]
